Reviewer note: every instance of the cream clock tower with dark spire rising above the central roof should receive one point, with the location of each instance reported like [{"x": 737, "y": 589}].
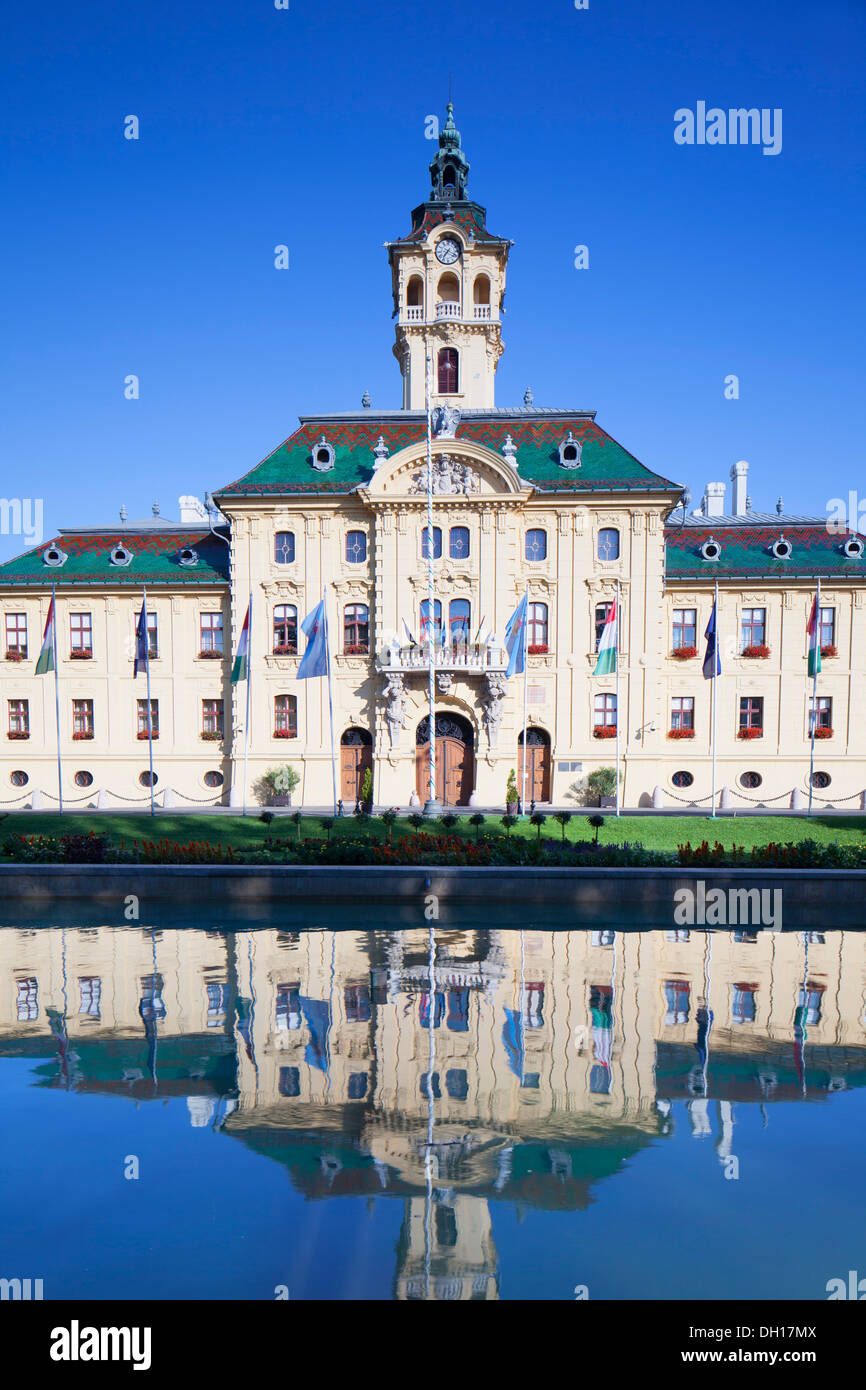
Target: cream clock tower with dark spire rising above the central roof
[{"x": 448, "y": 280}]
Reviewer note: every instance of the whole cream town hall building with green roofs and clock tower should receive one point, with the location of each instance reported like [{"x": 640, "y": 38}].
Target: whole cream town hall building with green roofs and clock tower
[{"x": 528, "y": 500}]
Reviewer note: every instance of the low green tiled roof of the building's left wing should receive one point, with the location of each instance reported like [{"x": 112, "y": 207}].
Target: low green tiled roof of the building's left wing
[{"x": 156, "y": 561}]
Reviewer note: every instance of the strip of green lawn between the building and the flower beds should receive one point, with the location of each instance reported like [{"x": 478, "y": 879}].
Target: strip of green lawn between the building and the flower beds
[{"x": 653, "y": 832}]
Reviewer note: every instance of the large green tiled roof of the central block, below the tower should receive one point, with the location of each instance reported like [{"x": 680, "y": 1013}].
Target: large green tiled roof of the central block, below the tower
[{"x": 605, "y": 465}]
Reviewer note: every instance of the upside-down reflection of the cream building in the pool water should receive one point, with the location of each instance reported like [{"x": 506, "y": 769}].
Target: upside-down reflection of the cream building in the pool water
[{"x": 448, "y": 1070}]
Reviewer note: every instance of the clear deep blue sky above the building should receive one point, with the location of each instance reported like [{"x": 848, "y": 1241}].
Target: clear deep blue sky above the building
[{"x": 307, "y": 127}]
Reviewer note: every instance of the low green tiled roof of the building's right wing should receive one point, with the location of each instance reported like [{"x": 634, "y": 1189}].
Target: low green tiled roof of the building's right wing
[{"x": 747, "y": 551}]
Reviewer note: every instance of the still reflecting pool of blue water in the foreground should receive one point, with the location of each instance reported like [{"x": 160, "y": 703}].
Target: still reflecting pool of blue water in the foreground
[{"x": 436, "y": 1113}]
